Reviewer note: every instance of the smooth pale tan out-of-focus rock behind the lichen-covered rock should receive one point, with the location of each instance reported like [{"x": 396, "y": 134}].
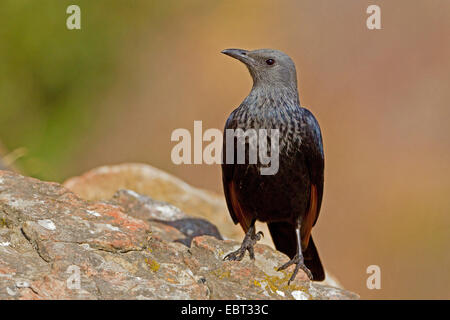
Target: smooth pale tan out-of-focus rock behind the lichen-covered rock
[{"x": 103, "y": 182}]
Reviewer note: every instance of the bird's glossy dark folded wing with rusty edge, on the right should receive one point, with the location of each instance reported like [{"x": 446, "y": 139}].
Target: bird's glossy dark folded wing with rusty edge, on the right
[{"x": 312, "y": 150}]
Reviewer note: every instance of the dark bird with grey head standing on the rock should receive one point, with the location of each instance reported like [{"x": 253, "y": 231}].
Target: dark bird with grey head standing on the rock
[{"x": 289, "y": 201}]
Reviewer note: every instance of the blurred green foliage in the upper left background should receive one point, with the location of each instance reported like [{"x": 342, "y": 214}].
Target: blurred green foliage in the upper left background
[{"x": 50, "y": 76}]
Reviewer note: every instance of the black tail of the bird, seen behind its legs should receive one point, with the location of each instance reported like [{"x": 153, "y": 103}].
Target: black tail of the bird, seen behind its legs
[{"x": 283, "y": 236}]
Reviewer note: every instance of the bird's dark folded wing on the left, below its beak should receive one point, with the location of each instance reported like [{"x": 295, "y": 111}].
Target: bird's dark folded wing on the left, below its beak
[{"x": 229, "y": 187}]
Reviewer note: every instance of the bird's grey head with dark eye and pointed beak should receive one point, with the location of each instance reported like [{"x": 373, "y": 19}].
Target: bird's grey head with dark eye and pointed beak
[{"x": 268, "y": 67}]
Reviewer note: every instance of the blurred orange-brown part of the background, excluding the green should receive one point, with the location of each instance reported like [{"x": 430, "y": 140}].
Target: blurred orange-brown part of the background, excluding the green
[{"x": 382, "y": 98}]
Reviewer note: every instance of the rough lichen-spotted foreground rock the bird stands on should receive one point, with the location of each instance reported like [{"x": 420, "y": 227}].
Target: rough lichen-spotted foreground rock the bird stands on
[{"x": 55, "y": 245}]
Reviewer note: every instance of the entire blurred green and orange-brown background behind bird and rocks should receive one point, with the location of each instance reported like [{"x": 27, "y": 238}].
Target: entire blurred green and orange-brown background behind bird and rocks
[{"x": 115, "y": 90}]
